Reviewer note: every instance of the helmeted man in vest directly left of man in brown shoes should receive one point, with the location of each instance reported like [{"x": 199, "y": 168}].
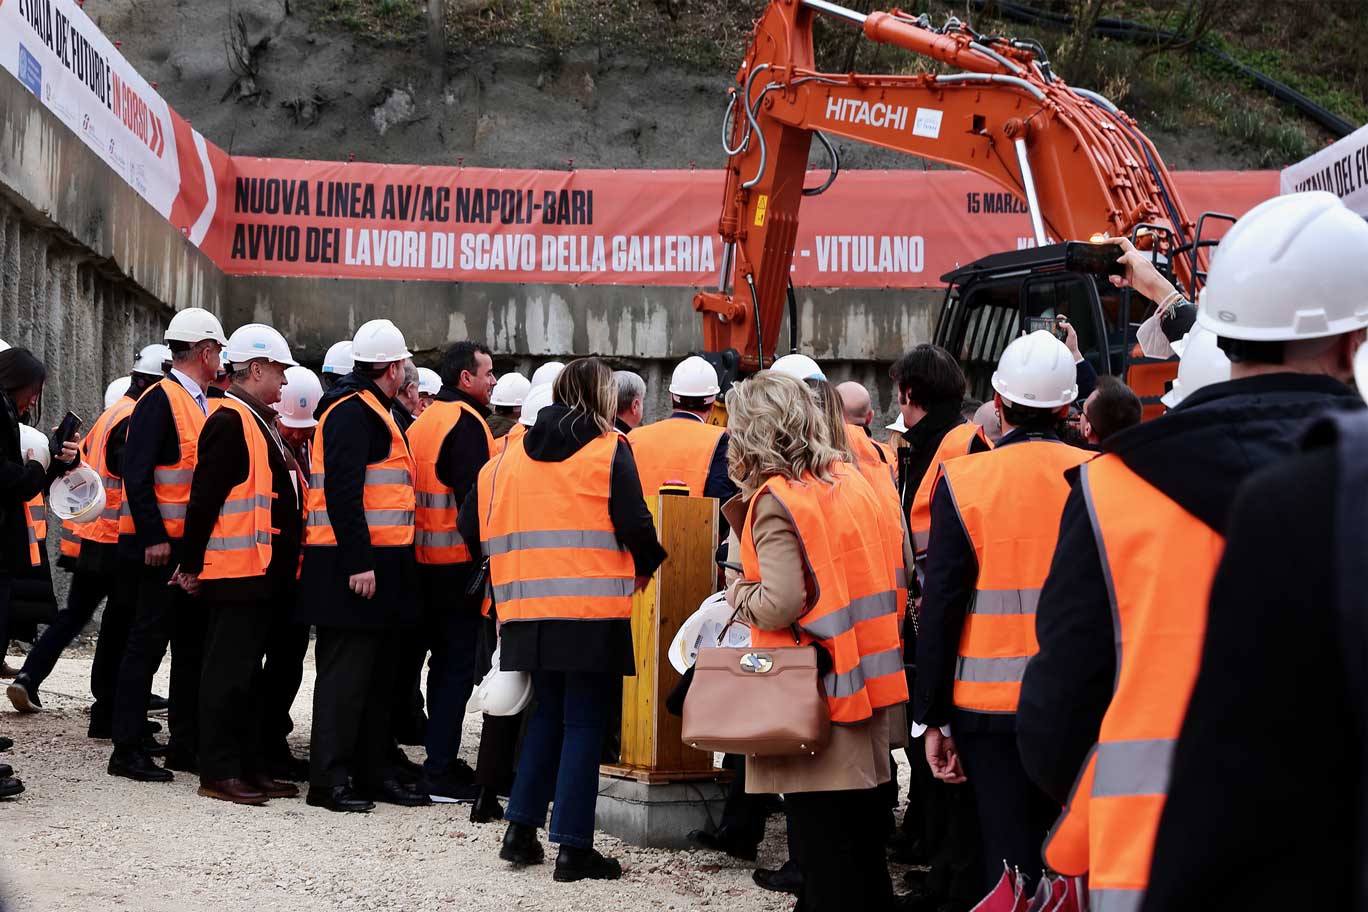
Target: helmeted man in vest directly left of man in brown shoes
[{"x": 159, "y": 459}]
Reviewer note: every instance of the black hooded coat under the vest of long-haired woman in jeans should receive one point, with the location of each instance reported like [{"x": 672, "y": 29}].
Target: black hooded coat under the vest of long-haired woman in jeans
[{"x": 578, "y": 646}]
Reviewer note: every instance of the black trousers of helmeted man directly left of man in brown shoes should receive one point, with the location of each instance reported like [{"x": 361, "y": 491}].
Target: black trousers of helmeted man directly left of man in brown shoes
[{"x": 165, "y": 616}]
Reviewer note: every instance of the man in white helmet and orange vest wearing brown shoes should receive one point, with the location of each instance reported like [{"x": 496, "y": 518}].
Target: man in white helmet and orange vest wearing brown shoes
[{"x": 240, "y": 556}]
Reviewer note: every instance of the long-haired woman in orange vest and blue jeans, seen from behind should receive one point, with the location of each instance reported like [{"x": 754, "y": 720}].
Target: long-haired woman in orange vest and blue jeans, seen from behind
[{"x": 563, "y": 571}]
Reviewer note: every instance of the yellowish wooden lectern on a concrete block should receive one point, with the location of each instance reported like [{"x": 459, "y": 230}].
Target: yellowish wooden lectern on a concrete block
[{"x": 653, "y": 751}]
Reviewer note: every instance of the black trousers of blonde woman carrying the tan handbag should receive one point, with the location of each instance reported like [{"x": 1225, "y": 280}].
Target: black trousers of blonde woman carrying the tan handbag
[{"x": 838, "y": 843}]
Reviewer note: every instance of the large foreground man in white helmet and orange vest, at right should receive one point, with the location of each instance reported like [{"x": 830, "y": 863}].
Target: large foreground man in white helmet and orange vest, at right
[{"x": 1124, "y": 613}]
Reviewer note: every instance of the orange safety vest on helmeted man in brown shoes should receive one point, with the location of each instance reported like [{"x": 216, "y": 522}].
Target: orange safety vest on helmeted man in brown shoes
[{"x": 240, "y": 544}]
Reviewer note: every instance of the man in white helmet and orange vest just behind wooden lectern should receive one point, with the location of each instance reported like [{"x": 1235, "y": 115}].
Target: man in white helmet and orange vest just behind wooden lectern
[{"x": 685, "y": 448}]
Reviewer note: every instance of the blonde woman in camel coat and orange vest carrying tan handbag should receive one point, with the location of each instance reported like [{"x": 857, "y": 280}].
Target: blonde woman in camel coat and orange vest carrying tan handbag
[{"x": 816, "y": 572}]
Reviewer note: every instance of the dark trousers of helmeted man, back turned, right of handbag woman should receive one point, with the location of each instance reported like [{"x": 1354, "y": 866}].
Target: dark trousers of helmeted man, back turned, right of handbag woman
[{"x": 1013, "y": 814}]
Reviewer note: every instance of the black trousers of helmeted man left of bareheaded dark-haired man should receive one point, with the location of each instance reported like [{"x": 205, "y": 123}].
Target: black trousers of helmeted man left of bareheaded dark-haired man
[{"x": 354, "y": 698}]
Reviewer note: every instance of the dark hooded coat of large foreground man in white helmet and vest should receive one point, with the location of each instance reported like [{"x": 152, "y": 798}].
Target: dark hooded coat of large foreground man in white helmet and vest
[{"x": 1198, "y": 456}]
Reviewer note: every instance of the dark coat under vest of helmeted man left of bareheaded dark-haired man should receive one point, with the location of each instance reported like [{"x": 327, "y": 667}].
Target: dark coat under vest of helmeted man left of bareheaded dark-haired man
[{"x": 355, "y": 437}]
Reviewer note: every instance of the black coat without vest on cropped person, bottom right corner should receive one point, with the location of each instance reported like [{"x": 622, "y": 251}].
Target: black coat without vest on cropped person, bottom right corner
[{"x": 1267, "y": 777}]
